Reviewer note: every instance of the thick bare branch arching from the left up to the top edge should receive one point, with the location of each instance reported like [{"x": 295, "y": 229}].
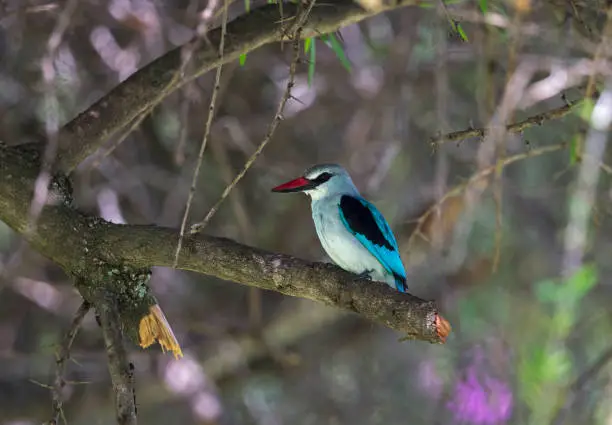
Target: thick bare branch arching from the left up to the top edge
[{"x": 150, "y": 85}]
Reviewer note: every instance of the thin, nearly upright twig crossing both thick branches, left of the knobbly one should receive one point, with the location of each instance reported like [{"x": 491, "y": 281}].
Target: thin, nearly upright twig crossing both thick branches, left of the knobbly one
[{"x": 211, "y": 111}]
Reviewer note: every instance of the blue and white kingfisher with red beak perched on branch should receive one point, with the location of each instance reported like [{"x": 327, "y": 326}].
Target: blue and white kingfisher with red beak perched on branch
[{"x": 351, "y": 230}]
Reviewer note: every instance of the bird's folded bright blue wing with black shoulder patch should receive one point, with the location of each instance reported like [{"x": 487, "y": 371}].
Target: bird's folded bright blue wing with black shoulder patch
[{"x": 370, "y": 228}]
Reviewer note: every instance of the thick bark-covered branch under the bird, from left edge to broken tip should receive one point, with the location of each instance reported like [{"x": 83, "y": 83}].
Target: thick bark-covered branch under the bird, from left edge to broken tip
[{"x": 89, "y": 247}]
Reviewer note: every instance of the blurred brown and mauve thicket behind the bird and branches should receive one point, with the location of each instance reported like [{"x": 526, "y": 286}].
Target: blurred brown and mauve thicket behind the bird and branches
[{"x": 506, "y": 233}]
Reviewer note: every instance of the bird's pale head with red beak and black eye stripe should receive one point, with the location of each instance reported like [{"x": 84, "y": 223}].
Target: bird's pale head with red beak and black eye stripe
[{"x": 320, "y": 181}]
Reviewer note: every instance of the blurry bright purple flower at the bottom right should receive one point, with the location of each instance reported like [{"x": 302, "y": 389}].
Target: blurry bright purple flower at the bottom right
[{"x": 485, "y": 401}]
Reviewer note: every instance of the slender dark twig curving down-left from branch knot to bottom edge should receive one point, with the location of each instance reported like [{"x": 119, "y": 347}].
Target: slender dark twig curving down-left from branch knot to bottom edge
[{"x": 62, "y": 356}]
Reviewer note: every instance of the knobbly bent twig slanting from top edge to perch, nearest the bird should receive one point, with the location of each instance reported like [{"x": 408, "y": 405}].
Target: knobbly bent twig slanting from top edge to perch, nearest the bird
[{"x": 278, "y": 116}]
